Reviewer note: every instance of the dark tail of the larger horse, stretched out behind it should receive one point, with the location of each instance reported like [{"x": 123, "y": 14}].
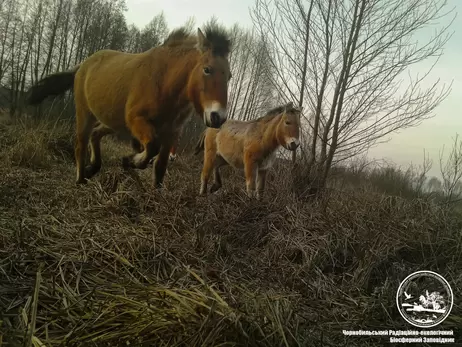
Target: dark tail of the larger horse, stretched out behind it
[{"x": 53, "y": 84}]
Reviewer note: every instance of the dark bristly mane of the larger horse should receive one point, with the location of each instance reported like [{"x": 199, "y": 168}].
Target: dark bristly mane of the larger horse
[{"x": 216, "y": 34}]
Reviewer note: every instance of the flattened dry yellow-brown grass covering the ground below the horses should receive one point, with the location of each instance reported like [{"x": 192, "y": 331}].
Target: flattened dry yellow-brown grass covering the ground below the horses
[{"x": 116, "y": 263}]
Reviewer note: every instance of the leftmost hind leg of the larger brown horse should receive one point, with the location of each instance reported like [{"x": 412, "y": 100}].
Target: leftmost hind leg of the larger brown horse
[{"x": 84, "y": 126}]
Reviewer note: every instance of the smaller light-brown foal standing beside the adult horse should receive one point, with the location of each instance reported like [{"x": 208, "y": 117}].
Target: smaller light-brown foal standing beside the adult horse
[{"x": 249, "y": 145}]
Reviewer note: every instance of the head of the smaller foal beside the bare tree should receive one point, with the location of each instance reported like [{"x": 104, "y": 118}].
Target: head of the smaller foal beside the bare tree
[{"x": 288, "y": 130}]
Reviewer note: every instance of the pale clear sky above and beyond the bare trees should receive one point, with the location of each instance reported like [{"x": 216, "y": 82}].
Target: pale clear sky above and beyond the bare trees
[{"x": 404, "y": 147}]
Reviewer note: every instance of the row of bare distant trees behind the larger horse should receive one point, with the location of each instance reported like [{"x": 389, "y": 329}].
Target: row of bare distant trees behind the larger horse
[{"x": 39, "y": 37}]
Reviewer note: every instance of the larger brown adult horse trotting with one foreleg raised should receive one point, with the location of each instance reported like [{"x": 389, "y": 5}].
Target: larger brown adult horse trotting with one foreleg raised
[{"x": 149, "y": 94}]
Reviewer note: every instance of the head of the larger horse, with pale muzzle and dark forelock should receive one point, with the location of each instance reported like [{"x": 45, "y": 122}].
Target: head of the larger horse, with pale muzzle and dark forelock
[{"x": 211, "y": 76}]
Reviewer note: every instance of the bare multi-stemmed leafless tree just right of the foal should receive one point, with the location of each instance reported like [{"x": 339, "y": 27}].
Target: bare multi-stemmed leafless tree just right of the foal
[{"x": 356, "y": 54}]
